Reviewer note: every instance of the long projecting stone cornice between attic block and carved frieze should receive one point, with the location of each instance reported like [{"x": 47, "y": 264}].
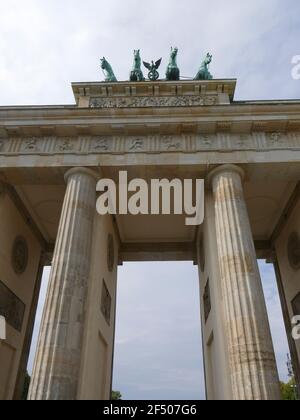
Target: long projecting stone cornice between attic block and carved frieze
[{"x": 185, "y": 120}]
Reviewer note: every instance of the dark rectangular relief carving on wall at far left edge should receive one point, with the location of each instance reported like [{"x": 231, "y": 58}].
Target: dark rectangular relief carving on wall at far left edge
[{"x": 11, "y": 307}]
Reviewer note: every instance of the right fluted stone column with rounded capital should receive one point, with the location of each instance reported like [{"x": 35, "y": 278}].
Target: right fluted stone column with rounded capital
[{"x": 252, "y": 362}]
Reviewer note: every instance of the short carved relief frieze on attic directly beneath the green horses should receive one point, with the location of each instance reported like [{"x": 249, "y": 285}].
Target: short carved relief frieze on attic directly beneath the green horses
[{"x": 152, "y": 101}]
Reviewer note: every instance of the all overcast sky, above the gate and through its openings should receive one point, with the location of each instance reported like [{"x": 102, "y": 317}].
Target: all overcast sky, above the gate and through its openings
[{"x": 45, "y": 45}]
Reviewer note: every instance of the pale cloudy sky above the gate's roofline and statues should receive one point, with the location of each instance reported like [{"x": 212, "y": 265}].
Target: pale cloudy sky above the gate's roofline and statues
[{"x": 46, "y": 45}]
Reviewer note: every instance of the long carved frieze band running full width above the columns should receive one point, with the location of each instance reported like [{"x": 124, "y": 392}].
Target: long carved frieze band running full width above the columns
[{"x": 184, "y": 143}]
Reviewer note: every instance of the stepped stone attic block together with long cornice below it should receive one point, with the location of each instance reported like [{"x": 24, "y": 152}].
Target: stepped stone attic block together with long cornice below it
[{"x": 145, "y": 108}]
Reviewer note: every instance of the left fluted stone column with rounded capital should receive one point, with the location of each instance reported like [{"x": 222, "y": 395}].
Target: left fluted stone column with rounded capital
[{"x": 57, "y": 362}]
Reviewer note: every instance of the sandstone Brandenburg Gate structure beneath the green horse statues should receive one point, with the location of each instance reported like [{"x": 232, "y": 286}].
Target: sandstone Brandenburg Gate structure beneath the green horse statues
[{"x": 51, "y": 158}]
